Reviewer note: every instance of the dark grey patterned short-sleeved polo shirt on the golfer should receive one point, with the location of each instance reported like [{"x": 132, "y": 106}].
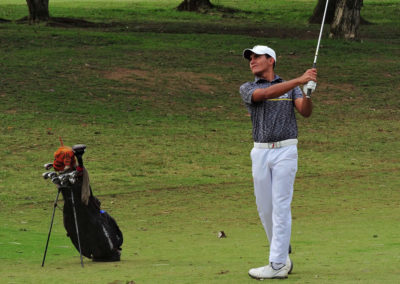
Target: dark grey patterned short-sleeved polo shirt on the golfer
[{"x": 273, "y": 119}]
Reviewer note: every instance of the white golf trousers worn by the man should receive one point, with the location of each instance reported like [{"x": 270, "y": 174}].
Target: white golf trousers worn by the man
[{"x": 274, "y": 172}]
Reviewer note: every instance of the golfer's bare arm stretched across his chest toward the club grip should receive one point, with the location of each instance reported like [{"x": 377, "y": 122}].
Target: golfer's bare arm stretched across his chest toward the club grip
[{"x": 279, "y": 89}]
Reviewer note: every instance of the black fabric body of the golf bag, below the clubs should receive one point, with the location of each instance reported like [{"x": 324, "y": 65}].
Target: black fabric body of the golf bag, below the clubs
[{"x": 99, "y": 235}]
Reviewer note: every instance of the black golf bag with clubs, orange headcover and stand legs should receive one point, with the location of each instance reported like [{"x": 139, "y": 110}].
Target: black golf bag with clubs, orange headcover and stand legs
[{"x": 94, "y": 233}]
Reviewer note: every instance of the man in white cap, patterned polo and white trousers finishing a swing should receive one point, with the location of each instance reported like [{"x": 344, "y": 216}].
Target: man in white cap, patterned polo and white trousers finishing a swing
[{"x": 271, "y": 102}]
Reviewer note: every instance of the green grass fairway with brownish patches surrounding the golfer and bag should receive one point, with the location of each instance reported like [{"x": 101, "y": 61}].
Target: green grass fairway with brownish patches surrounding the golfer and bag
[{"x": 153, "y": 93}]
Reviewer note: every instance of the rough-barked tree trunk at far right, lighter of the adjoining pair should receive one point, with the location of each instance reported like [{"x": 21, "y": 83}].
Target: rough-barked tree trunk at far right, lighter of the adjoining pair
[{"x": 346, "y": 21}]
